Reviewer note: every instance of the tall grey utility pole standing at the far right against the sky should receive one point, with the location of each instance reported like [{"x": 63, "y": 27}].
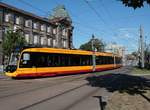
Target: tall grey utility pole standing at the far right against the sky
[{"x": 141, "y": 42}]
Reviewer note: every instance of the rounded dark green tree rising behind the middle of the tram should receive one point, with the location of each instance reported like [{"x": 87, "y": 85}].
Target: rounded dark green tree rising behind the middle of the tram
[{"x": 97, "y": 43}]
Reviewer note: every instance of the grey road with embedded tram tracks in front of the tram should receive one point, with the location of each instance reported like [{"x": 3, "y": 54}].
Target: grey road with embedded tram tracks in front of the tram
[{"x": 73, "y": 92}]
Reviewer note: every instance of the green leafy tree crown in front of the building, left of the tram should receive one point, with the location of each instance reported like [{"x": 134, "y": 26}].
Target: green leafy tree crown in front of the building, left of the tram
[{"x": 11, "y": 41}]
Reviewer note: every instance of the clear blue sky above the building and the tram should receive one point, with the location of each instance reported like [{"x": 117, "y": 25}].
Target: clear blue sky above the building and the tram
[{"x": 108, "y": 20}]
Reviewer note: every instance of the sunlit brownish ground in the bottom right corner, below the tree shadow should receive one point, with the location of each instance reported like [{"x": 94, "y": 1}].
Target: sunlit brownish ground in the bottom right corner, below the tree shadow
[{"x": 124, "y": 101}]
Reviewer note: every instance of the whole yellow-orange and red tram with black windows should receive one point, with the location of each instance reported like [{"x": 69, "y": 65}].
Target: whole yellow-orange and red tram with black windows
[{"x": 38, "y": 62}]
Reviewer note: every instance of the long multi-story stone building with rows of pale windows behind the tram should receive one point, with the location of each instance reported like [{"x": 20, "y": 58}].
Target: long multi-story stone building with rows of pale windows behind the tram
[{"x": 56, "y": 32}]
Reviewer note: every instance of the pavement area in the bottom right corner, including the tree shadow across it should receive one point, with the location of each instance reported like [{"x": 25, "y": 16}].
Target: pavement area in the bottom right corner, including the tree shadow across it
[{"x": 133, "y": 92}]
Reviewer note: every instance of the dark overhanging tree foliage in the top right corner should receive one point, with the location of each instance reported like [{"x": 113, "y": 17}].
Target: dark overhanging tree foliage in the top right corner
[{"x": 134, "y": 3}]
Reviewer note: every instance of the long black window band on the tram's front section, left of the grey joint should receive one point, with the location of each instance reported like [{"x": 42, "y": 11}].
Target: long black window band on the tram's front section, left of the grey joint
[{"x": 37, "y": 59}]
